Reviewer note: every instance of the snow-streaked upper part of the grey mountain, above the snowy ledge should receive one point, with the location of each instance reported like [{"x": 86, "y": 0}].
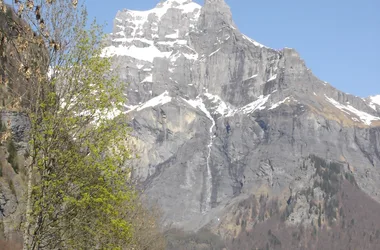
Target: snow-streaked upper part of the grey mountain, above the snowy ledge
[{"x": 185, "y": 49}]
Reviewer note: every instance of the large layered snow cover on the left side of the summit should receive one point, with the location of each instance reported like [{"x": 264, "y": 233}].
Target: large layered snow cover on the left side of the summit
[{"x": 136, "y": 33}]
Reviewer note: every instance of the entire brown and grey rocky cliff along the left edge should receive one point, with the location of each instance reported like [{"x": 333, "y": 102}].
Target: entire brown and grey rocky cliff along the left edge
[{"x": 15, "y": 95}]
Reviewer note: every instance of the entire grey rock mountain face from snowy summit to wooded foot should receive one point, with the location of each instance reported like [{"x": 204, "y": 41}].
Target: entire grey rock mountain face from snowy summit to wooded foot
[{"x": 218, "y": 118}]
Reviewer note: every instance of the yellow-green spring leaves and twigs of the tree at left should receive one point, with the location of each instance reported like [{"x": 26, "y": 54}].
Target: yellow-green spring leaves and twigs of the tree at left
[{"x": 82, "y": 199}]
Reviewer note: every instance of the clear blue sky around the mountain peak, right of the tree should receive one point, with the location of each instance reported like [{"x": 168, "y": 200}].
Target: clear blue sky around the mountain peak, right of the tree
[{"x": 338, "y": 39}]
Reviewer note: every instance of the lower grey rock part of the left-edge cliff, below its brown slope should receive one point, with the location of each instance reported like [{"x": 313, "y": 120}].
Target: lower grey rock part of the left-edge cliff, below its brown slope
[{"x": 13, "y": 151}]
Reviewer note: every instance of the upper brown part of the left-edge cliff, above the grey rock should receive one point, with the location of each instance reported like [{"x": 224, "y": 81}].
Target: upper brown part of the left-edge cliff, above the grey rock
[{"x": 16, "y": 90}]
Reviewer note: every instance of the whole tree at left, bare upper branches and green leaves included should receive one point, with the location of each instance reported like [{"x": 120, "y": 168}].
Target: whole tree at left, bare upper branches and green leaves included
[{"x": 79, "y": 194}]
